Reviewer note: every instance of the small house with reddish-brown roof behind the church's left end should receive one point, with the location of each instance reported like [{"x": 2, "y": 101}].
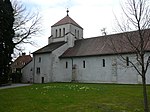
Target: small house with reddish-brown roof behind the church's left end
[{"x": 18, "y": 65}]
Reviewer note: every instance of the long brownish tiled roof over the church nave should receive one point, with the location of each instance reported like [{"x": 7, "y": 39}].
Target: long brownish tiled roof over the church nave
[{"x": 104, "y": 45}]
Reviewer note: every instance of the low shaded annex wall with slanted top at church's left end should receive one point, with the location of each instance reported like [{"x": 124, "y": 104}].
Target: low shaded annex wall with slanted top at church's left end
[{"x": 27, "y": 73}]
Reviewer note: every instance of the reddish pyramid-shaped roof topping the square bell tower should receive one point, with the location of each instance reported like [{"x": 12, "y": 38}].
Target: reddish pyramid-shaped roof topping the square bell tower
[{"x": 66, "y": 20}]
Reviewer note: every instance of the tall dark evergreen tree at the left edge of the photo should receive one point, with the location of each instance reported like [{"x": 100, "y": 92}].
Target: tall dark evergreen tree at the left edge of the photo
[{"x": 6, "y": 36}]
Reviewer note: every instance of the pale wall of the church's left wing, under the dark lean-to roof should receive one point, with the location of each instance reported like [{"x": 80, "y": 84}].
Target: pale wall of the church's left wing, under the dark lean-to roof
[{"x": 49, "y": 66}]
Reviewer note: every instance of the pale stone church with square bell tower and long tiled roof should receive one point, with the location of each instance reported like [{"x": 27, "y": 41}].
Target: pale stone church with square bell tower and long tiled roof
[{"x": 69, "y": 57}]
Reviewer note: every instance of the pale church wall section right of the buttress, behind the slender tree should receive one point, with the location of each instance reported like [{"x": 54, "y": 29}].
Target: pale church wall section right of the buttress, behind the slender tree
[{"x": 128, "y": 74}]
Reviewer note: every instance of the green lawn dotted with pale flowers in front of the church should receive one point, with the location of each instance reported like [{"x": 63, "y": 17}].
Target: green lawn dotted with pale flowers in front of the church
[{"x": 73, "y": 97}]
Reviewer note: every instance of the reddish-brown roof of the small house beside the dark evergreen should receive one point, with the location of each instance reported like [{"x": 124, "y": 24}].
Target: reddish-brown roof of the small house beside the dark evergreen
[{"x": 21, "y": 61}]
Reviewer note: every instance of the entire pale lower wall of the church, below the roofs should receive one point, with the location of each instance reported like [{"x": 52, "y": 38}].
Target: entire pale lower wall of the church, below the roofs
[{"x": 54, "y": 69}]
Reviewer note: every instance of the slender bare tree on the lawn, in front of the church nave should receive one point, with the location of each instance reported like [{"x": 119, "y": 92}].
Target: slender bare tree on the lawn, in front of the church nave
[{"x": 137, "y": 13}]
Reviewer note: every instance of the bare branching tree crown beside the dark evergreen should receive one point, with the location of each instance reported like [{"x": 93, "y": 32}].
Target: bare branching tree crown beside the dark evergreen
[{"x": 26, "y": 25}]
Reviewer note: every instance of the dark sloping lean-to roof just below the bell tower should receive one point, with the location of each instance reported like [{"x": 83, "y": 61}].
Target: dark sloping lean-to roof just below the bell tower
[{"x": 49, "y": 48}]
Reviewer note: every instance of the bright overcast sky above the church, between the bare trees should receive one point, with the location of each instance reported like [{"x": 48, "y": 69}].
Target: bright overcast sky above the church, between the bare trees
[{"x": 91, "y": 15}]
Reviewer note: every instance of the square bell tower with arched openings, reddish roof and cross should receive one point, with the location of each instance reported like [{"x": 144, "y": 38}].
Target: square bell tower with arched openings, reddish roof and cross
[{"x": 65, "y": 30}]
